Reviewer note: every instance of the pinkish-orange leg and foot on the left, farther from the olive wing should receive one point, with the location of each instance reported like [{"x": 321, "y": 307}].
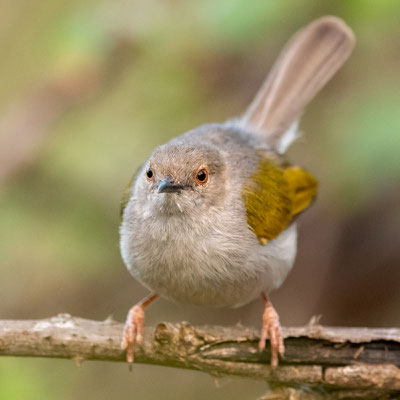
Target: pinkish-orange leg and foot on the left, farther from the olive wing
[{"x": 133, "y": 329}]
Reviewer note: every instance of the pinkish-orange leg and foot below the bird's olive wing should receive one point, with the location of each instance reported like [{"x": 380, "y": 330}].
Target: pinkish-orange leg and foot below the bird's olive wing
[{"x": 271, "y": 328}]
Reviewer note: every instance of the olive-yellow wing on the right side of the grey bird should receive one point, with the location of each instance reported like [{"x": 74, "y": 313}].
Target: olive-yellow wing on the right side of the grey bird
[{"x": 274, "y": 195}]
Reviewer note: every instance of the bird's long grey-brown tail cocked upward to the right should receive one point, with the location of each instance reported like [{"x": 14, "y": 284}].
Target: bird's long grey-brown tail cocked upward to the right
[{"x": 306, "y": 64}]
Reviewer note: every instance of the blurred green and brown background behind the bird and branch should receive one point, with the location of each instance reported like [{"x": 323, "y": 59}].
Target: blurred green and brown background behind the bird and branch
[{"x": 89, "y": 88}]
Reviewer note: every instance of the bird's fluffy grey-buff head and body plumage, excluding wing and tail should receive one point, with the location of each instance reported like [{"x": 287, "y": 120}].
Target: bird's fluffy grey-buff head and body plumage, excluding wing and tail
[{"x": 196, "y": 246}]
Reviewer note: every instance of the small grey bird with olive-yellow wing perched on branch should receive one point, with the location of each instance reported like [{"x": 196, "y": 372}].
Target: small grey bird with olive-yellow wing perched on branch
[{"x": 209, "y": 218}]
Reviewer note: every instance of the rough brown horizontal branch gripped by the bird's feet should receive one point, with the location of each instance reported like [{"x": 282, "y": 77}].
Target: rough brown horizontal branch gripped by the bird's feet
[{"x": 335, "y": 360}]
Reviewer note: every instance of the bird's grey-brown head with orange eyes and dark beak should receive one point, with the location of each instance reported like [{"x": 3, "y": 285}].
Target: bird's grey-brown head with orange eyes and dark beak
[{"x": 181, "y": 179}]
